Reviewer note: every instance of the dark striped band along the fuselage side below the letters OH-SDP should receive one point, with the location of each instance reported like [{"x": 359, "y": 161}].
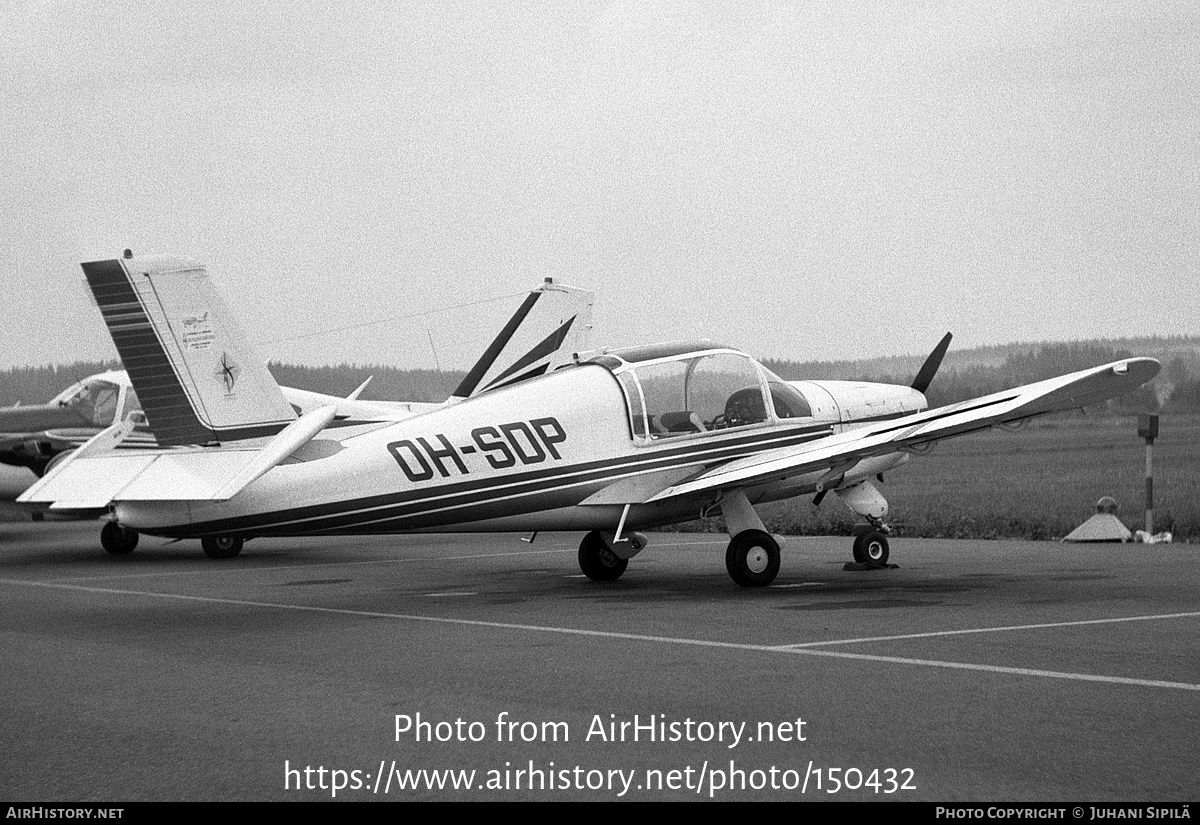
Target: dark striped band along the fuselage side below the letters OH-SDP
[{"x": 343, "y": 515}]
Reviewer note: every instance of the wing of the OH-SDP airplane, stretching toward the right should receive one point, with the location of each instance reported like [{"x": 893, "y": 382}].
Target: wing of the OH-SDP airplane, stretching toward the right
[{"x": 843, "y": 451}]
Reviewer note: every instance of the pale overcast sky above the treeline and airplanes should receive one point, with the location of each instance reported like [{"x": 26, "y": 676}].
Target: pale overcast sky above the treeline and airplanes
[{"x": 807, "y": 180}]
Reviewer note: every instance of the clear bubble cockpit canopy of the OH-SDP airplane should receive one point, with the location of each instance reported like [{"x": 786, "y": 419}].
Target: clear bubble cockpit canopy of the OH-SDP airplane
[{"x": 699, "y": 388}]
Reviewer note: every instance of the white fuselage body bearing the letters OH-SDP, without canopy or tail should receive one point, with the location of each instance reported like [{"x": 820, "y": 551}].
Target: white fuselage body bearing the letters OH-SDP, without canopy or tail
[{"x": 557, "y": 453}]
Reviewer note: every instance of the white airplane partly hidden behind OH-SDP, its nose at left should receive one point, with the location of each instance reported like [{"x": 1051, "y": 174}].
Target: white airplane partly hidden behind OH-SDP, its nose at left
[{"x": 551, "y": 324}]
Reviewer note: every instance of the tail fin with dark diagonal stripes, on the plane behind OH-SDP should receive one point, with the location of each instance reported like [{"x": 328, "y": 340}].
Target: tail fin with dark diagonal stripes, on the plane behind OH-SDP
[{"x": 549, "y": 328}]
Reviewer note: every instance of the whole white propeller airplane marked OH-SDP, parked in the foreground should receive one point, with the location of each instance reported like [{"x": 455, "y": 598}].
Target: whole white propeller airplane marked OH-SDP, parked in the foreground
[{"x": 614, "y": 442}]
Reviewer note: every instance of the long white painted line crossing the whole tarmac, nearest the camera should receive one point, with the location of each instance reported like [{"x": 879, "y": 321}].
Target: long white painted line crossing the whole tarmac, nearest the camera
[{"x": 631, "y": 637}]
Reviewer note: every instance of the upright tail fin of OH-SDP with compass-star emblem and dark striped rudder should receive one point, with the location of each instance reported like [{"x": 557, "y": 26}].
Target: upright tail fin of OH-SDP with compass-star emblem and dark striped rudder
[{"x": 196, "y": 377}]
